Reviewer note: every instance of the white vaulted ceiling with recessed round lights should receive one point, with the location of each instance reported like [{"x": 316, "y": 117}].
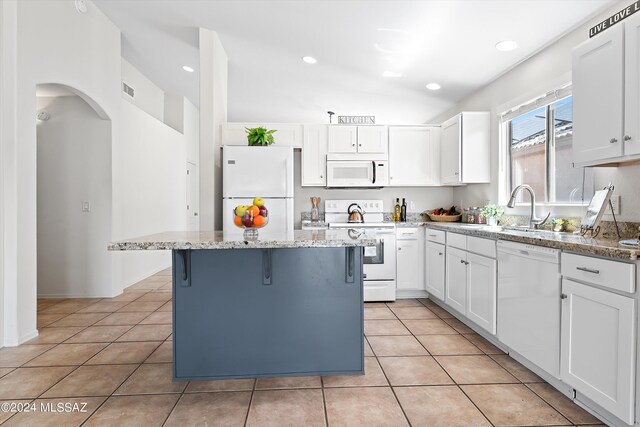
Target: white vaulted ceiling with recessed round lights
[{"x": 446, "y": 41}]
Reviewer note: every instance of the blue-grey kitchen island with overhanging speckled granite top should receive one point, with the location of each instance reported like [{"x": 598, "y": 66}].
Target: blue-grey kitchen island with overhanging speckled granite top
[{"x": 284, "y": 305}]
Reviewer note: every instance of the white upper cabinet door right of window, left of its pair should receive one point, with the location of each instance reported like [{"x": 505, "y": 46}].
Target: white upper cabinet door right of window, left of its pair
[{"x": 598, "y": 97}]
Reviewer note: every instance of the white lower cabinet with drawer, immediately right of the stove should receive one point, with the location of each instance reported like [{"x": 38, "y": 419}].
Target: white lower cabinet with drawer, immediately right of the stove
[{"x": 410, "y": 259}]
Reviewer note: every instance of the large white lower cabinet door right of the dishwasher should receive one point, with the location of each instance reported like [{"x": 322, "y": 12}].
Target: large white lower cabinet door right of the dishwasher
[{"x": 598, "y": 346}]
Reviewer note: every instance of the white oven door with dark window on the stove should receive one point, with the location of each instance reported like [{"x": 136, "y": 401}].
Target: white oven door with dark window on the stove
[{"x": 380, "y": 260}]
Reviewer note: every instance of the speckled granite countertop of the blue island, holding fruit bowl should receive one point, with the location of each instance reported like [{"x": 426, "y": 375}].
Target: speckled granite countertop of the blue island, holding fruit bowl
[{"x": 177, "y": 240}]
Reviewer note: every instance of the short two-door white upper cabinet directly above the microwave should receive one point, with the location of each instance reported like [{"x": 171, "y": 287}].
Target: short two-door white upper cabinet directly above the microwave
[{"x": 358, "y": 139}]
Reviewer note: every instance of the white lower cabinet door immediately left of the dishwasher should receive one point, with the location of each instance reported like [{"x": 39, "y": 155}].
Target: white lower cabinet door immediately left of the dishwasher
[{"x": 481, "y": 291}]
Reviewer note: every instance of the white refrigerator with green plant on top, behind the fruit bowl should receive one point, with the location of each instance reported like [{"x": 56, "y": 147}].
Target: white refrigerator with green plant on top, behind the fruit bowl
[{"x": 266, "y": 172}]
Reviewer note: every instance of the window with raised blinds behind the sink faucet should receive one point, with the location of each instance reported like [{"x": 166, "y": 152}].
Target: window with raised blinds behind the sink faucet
[{"x": 539, "y": 135}]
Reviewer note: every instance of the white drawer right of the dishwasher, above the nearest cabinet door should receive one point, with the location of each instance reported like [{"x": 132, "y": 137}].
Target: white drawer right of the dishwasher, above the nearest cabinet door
[{"x": 602, "y": 272}]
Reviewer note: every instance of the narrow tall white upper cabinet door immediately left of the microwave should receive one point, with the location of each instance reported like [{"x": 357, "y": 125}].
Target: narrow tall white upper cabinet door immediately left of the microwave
[{"x": 314, "y": 156}]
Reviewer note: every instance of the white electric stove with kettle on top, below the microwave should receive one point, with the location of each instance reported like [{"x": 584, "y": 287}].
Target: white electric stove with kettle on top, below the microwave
[{"x": 380, "y": 260}]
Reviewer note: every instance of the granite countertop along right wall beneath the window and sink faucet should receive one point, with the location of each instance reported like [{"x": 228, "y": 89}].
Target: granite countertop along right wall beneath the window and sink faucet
[{"x": 609, "y": 248}]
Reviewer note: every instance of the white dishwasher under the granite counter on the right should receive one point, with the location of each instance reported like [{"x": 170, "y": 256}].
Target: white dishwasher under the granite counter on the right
[{"x": 529, "y": 303}]
